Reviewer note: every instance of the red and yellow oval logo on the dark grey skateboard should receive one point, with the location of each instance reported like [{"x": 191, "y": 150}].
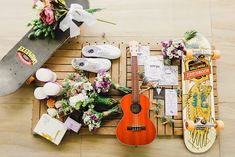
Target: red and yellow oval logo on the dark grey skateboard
[{"x": 26, "y": 56}]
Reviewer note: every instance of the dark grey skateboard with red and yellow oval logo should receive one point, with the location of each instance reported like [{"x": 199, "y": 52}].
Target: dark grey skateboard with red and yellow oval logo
[{"x": 27, "y": 56}]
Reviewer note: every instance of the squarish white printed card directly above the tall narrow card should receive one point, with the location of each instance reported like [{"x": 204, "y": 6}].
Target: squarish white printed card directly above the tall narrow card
[{"x": 169, "y": 76}]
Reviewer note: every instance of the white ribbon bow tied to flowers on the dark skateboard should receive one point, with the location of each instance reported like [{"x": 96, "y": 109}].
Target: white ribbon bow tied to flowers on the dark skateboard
[{"x": 76, "y": 13}]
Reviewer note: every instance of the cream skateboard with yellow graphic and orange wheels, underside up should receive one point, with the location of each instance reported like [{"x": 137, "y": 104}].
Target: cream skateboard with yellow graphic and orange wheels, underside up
[{"x": 199, "y": 123}]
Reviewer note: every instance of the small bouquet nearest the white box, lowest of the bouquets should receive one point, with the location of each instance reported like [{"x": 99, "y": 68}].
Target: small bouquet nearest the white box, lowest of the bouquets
[{"x": 93, "y": 119}]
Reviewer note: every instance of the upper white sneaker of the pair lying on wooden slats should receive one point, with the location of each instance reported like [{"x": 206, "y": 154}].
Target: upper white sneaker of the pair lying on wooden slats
[{"x": 101, "y": 51}]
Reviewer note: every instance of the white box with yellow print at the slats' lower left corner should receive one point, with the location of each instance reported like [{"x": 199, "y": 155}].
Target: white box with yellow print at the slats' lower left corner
[{"x": 51, "y": 129}]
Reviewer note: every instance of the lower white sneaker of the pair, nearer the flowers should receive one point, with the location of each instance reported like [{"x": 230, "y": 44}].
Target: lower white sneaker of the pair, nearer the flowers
[{"x": 91, "y": 64}]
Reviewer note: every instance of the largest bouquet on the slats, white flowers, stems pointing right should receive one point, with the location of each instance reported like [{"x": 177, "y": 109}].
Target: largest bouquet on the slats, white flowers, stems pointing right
[{"x": 79, "y": 94}]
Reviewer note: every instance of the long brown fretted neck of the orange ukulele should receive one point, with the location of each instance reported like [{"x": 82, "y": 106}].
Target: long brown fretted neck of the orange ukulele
[{"x": 135, "y": 80}]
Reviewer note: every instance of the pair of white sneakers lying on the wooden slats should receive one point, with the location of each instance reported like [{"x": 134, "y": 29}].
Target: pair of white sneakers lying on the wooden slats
[{"x": 99, "y": 58}]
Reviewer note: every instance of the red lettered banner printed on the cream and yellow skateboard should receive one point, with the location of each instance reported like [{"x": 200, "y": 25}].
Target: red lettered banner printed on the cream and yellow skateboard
[{"x": 196, "y": 73}]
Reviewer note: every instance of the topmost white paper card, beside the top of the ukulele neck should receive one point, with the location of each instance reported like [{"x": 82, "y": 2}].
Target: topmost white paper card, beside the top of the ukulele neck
[{"x": 144, "y": 52}]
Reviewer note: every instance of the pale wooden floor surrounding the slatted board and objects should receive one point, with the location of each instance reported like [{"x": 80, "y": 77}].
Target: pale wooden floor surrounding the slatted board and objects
[{"x": 136, "y": 19}]
